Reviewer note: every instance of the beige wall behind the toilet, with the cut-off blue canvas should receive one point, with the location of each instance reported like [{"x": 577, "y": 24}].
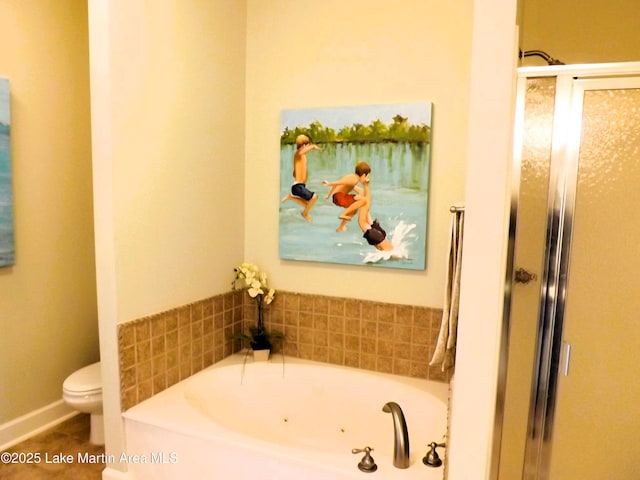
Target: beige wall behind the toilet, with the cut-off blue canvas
[{"x": 48, "y": 301}]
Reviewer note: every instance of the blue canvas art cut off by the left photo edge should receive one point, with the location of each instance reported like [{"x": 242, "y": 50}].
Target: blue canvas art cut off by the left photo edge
[{"x": 7, "y": 249}]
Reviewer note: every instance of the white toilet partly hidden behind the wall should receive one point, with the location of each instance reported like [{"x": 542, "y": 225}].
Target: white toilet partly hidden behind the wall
[{"x": 82, "y": 391}]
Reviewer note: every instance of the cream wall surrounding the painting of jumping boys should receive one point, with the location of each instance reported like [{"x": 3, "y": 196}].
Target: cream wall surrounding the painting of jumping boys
[{"x": 356, "y": 53}]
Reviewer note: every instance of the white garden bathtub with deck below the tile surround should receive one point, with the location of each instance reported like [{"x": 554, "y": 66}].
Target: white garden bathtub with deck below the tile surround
[{"x": 286, "y": 419}]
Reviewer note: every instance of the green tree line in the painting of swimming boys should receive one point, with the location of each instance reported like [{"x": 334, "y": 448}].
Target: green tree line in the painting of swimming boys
[{"x": 400, "y": 130}]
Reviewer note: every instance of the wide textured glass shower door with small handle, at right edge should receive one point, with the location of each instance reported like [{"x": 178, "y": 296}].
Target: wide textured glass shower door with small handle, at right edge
[{"x": 596, "y": 421}]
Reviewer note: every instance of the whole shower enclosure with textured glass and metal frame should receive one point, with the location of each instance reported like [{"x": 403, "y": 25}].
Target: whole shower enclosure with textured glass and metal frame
[{"x": 569, "y": 406}]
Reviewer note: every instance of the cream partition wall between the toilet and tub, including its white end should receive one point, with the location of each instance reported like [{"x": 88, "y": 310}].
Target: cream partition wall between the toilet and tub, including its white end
[{"x": 168, "y": 119}]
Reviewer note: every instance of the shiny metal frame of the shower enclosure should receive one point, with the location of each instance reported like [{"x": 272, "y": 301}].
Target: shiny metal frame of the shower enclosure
[{"x": 571, "y": 83}]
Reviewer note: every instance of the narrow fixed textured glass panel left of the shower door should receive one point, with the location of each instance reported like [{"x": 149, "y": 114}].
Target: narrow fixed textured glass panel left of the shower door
[{"x": 529, "y": 254}]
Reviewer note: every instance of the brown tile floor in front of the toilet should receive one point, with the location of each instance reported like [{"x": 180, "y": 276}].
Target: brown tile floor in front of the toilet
[{"x": 68, "y": 438}]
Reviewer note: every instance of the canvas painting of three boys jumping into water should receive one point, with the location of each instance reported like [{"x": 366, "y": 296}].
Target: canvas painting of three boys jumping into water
[{"x": 354, "y": 184}]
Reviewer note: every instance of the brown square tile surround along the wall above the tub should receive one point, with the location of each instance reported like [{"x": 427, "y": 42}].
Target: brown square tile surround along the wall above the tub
[{"x": 158, "y": 351}]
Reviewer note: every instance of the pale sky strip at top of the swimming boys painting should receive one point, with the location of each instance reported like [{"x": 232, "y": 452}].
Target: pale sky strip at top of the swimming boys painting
[{"x": 338, "y": 117}]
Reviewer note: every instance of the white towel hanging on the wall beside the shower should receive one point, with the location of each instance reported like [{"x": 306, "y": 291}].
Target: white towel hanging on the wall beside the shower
[{"x": 445, "y": 351}]
